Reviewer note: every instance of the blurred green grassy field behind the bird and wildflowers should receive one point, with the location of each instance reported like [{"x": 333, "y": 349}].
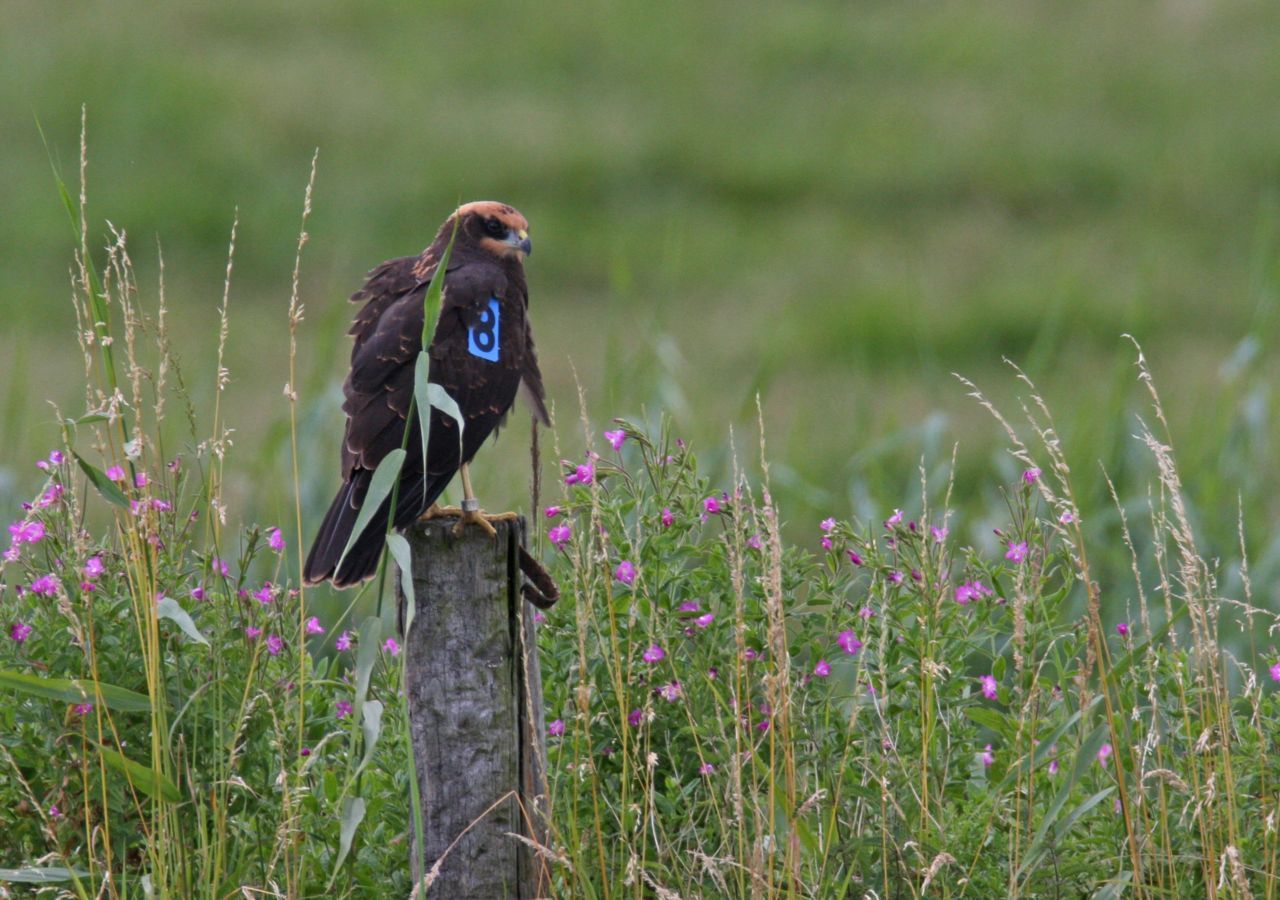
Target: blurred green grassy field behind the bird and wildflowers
[{"x": 833, "y": 205}]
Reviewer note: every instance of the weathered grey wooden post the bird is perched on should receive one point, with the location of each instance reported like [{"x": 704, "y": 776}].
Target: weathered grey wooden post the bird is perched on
[{"x": 476, "y": 712}]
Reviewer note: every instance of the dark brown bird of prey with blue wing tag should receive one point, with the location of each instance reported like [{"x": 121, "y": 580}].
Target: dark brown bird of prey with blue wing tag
[{"x": 482, "y": 354}]
